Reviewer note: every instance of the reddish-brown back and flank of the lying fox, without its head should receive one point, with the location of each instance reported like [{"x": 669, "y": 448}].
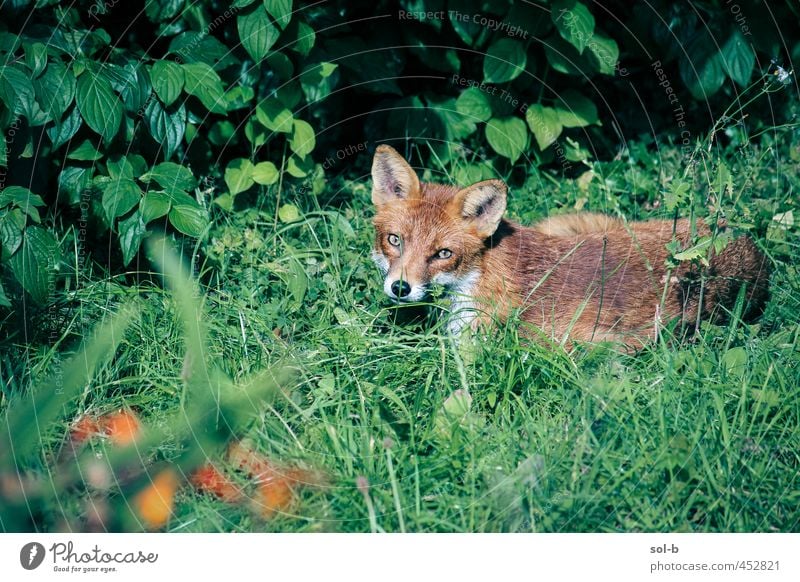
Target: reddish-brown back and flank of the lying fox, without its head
[{"x": 597, "y": 278}]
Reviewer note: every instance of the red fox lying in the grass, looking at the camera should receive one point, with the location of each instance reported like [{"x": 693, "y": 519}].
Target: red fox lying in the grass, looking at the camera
[{"x": 586, "y": 277}]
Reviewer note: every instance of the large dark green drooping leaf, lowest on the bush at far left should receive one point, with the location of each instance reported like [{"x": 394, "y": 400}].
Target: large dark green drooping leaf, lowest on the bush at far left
[{"x": 35, "y": 263}]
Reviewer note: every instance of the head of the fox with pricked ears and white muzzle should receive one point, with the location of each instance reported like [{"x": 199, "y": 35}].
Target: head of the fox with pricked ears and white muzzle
[{"x": 429, "y": 233}]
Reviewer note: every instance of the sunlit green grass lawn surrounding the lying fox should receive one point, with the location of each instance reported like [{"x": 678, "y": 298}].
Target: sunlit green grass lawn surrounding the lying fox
[{"x": 701, "y": 434}]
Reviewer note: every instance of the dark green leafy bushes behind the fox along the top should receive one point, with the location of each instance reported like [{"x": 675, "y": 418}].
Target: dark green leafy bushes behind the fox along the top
[{"x": 245, "y": 95}]
